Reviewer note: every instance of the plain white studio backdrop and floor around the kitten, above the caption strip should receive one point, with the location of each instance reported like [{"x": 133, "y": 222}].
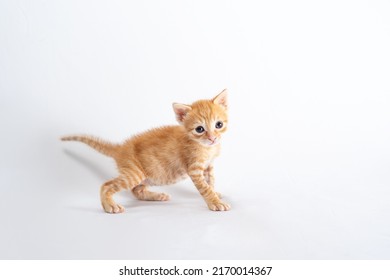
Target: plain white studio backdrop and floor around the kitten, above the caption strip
[{"x": 305, "y": 164}]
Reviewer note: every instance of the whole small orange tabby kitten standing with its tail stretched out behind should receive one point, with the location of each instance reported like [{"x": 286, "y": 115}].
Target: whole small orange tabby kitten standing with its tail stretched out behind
[{"x": 165, "y": 155}]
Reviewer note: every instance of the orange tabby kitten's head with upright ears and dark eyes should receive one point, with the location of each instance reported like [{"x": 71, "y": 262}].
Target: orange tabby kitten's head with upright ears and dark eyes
[{"x": 204, "y": 120}]
